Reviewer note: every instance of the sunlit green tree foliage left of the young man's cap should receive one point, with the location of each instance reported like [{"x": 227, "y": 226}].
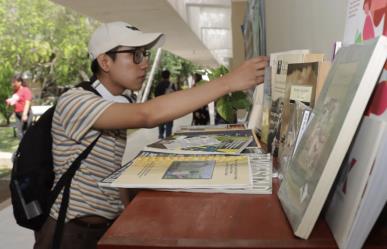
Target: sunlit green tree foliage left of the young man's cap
[{"x": 45, "y": 39}]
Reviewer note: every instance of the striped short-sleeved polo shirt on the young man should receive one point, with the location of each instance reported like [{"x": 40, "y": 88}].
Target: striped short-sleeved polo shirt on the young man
[{"x": 75, "y": 113}]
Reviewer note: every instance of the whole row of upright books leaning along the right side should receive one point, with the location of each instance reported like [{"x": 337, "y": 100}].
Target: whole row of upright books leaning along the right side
[{"x": 326, "y": 123}]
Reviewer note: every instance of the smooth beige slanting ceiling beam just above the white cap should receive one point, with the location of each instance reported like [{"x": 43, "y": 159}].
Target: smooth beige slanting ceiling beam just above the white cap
[{"x": 150, "y": 16}]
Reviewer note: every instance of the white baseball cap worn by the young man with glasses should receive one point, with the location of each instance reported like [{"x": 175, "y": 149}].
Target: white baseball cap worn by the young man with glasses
[{"x": 113, "y": 34}]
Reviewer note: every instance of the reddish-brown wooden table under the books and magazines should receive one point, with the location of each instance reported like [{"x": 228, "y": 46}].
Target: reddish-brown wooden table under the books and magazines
[{"x": 197, "y": 220}]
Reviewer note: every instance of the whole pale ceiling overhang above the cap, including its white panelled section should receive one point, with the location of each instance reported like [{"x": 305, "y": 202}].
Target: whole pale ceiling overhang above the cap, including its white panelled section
[{"x": 197, "y": 30}]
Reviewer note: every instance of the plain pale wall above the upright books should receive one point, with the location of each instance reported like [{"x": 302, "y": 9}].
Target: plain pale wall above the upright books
[{"x": 304, "y": 24}]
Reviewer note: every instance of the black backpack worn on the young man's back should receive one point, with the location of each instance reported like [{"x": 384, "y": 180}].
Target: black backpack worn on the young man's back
[{"x": 32, "y": 175}]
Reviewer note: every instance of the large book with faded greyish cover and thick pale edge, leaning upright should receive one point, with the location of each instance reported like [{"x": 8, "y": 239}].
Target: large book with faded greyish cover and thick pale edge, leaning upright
[{"x": 325, "y": 142}]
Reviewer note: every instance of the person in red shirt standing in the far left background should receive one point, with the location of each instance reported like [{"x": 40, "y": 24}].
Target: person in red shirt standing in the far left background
[{"x": 21, "y": 102}]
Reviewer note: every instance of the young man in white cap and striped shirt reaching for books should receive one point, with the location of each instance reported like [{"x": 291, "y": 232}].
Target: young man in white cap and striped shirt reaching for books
[{"x": 119, "y": 52}]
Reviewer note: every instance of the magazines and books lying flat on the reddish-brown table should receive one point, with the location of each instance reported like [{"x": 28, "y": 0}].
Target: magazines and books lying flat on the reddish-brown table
[{"x": 199, "y": 159}]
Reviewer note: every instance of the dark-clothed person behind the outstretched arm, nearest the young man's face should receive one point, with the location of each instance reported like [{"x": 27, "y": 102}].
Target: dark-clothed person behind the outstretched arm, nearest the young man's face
[{"x": 165, "y": 87}]
